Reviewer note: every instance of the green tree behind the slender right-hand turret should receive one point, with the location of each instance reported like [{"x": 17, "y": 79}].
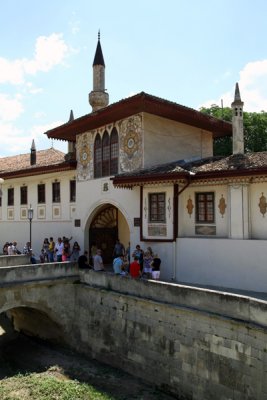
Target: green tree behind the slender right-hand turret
[{"x": 255, "y": 130}]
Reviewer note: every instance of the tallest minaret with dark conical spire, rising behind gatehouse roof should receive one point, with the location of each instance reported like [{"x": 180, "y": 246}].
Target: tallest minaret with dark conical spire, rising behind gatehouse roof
[{"x": 98, "y": 98}]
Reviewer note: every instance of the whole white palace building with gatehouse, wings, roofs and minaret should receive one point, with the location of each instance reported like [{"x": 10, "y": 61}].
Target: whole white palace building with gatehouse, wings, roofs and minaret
[{"x": 142, "y": 170}]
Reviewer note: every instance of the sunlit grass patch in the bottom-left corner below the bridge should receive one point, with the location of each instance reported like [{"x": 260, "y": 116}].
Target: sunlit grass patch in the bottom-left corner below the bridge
[{"x": 47, "y": 386}]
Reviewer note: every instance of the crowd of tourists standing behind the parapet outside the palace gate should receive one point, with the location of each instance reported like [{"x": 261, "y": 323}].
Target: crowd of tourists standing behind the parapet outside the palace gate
[{"x": 138, "y": 264}]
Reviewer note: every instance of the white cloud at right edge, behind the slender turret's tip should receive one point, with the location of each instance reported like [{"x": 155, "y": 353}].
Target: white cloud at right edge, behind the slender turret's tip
[{"x": 253, "y": 88}]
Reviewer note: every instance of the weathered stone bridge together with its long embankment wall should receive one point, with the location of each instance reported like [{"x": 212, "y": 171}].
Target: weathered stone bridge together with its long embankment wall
[{"x": 195, "y": 343}]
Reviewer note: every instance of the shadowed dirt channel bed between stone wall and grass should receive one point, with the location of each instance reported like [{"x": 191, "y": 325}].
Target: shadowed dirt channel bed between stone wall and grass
[{"x": 23, "y": 354}]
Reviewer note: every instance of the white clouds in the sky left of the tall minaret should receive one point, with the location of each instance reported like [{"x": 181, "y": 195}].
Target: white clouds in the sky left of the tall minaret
[{"x": 49, "y": 52}]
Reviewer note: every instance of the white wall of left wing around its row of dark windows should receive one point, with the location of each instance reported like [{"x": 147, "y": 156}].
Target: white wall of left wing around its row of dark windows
[{"x": 48, "y": 225}]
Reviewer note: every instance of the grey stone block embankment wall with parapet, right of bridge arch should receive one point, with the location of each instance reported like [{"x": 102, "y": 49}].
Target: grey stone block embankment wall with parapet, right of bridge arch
[{"x": 195, "y": 343}]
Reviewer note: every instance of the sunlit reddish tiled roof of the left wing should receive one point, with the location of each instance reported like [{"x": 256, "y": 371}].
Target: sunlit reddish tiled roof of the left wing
[{"x": 44, "y": 158}]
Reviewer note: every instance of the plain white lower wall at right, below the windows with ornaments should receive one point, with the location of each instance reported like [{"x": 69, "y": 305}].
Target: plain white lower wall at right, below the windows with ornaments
[{"x": 223, "y": 262}]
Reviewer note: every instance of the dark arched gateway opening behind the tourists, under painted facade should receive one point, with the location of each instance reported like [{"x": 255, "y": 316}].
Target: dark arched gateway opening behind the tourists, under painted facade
[{"x": 108, "y": 225}]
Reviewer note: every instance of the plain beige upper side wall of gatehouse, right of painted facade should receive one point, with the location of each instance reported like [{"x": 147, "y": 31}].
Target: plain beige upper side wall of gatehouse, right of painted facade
[{"x": 180, "y": 141}]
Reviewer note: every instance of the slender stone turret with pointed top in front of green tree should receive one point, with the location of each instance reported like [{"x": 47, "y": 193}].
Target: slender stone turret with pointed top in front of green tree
[{"x": 237, "y": 123}]
